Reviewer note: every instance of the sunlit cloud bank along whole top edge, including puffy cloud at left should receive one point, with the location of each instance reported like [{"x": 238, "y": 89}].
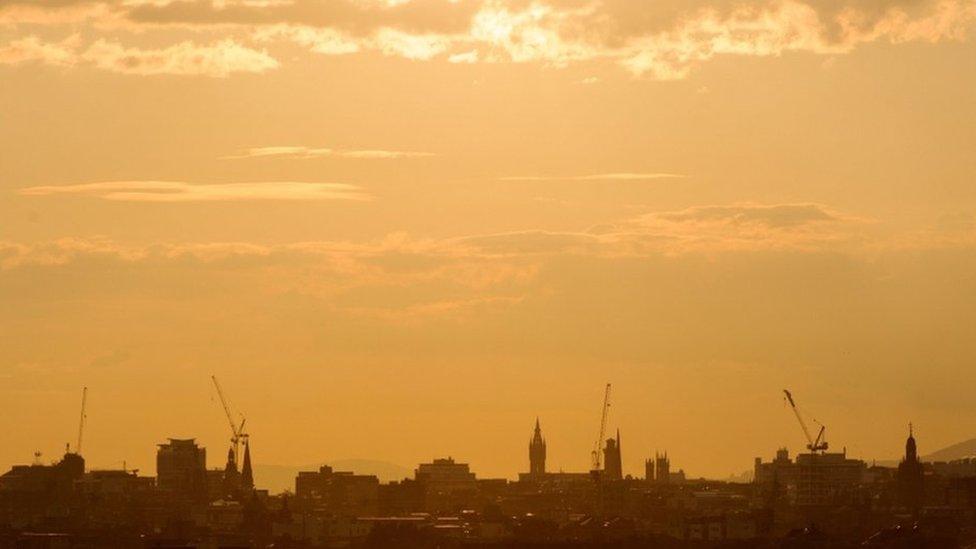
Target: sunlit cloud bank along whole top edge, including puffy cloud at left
[{"x": 663, "y": 41}]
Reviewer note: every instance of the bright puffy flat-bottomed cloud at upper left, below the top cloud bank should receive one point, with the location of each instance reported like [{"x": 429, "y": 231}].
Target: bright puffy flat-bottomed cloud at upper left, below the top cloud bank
[{"x": 219, "y": 59}]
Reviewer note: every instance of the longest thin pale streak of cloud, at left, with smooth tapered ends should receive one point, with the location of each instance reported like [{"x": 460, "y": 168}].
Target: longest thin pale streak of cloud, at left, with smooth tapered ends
[{"x": 177, "y": 191}]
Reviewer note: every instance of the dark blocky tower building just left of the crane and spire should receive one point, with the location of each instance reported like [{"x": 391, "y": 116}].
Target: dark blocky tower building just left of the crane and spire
[{"x": 181, "y": 468}]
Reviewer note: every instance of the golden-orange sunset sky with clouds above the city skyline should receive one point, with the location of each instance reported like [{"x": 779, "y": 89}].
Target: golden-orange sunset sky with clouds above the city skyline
[{"x": 405, "y": 229}]
